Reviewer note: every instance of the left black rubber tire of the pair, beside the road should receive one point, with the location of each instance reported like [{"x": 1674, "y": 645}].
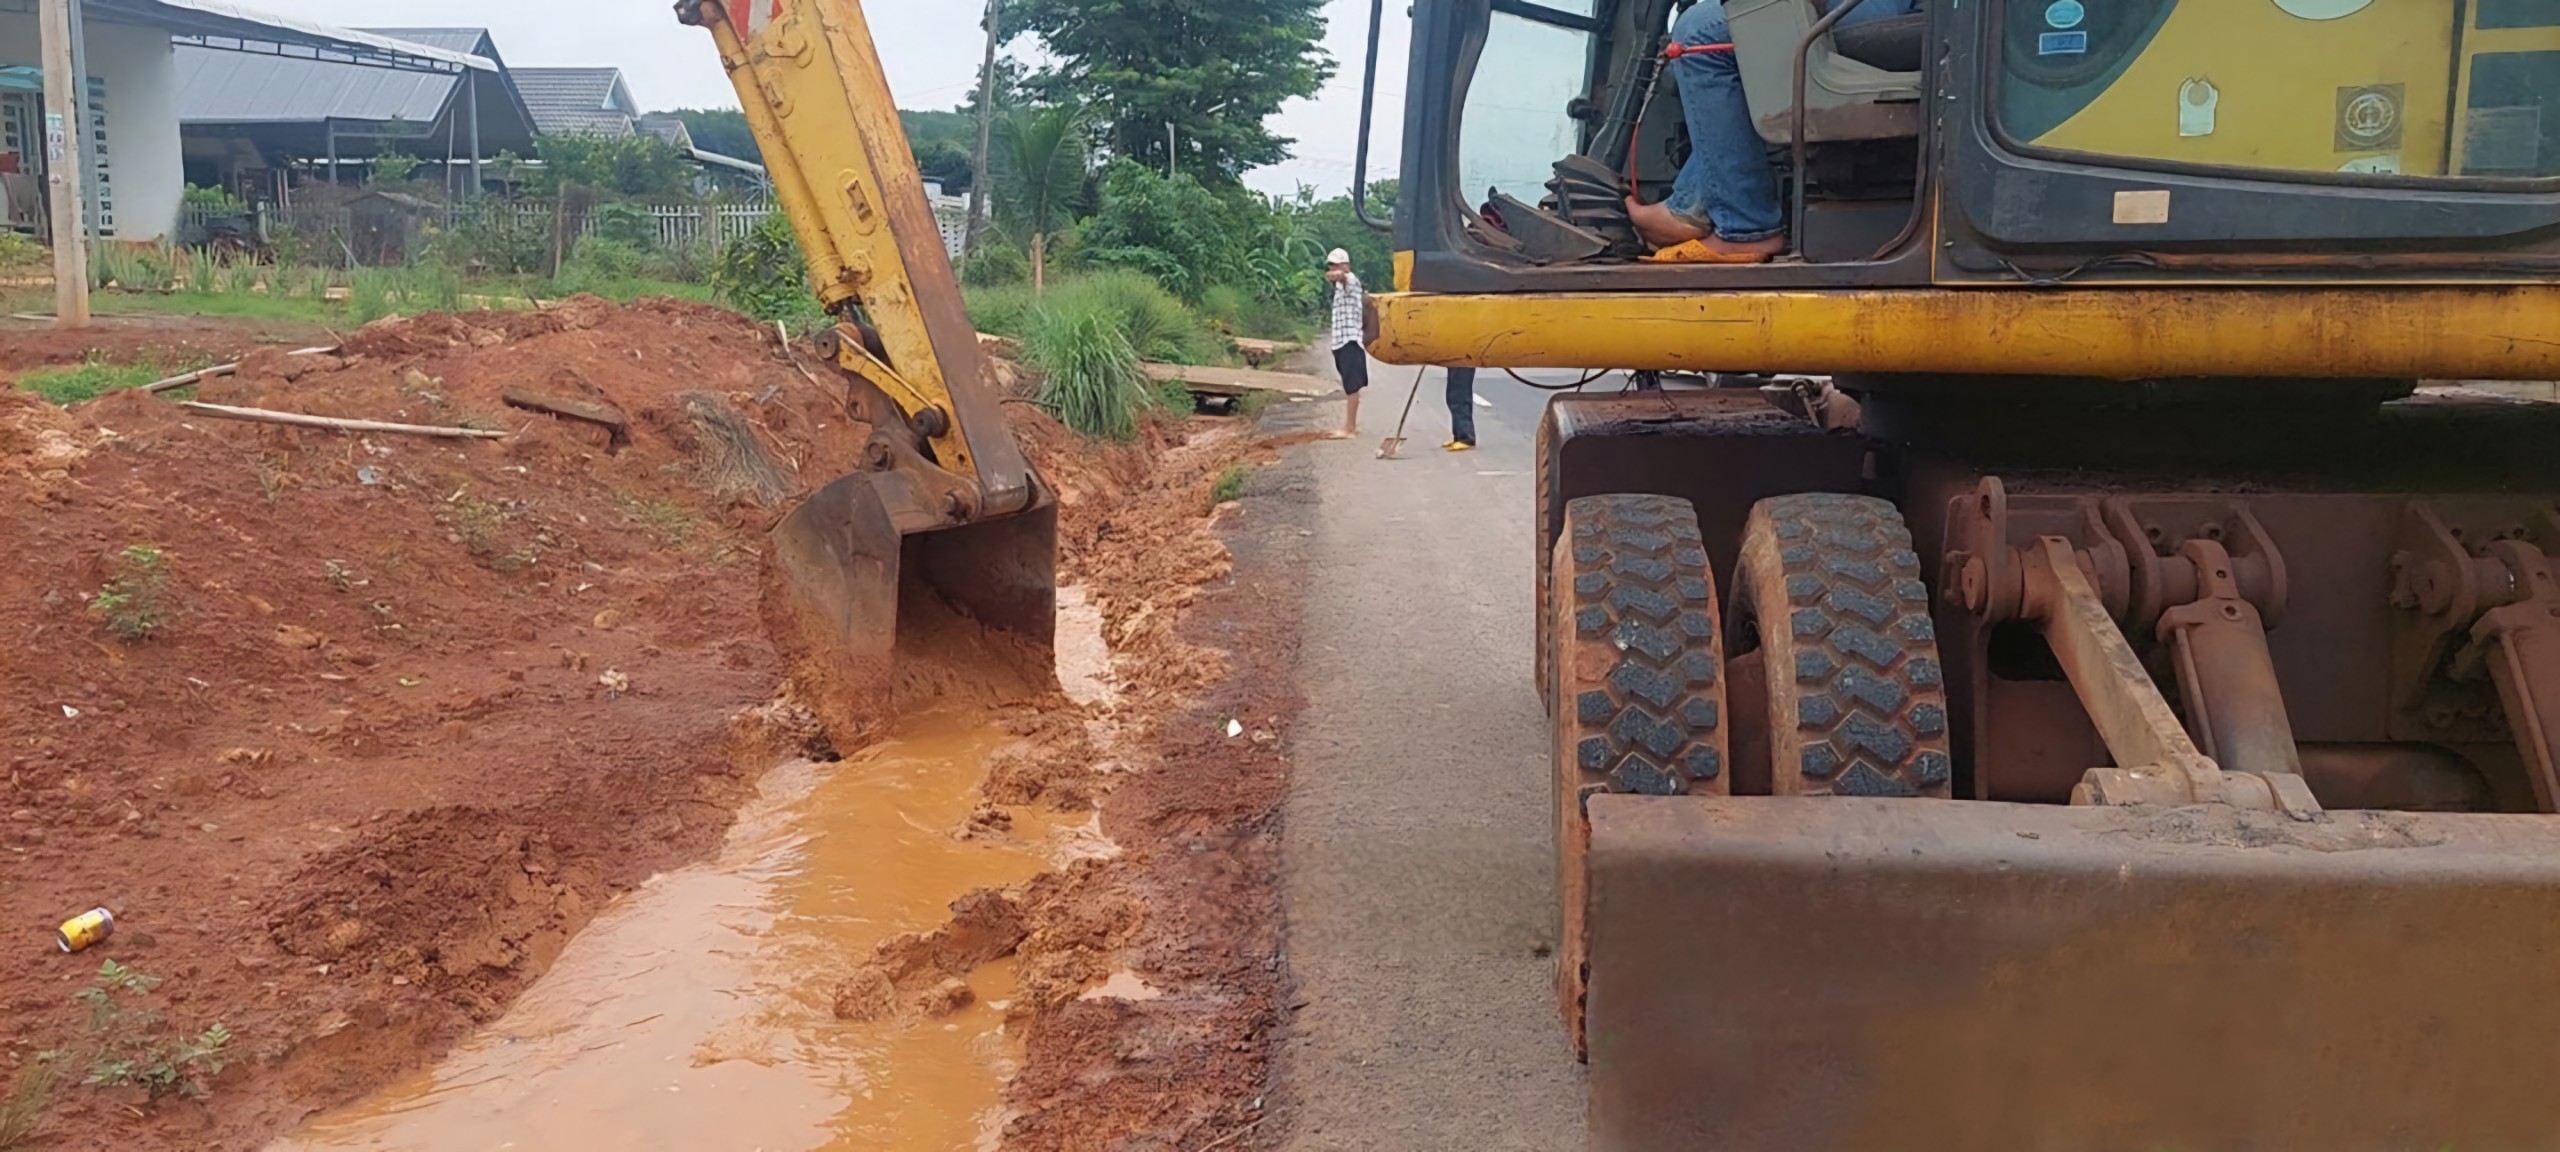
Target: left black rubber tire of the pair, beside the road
[{"x": 1640, "y": 690}]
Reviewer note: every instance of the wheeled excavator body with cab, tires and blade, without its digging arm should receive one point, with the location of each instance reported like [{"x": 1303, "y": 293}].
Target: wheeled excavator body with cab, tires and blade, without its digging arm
[{"x": 2070, "y": 654}]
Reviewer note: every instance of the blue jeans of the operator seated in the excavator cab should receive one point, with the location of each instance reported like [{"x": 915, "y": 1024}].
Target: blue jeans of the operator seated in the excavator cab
[{"x": 1727, "y": 180}]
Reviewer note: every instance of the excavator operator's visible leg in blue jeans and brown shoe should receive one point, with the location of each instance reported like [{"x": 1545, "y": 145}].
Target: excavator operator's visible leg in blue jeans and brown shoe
[{"x": 1724, "y": 206}]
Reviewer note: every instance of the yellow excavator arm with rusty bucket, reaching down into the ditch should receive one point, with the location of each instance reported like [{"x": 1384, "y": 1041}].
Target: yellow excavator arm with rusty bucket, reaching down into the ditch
[{"x": 948, "y": 500}]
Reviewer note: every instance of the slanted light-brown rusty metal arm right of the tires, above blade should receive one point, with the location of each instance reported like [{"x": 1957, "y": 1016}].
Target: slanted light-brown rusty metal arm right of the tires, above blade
[{"x": 2157, "y": 759}]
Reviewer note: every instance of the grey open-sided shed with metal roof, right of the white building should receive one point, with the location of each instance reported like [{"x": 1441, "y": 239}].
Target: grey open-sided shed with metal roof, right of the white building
[{"x": 247, "y": 122}]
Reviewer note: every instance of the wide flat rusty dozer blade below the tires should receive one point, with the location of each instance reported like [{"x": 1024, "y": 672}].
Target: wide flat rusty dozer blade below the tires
[{"x": 1839, "y": 974}]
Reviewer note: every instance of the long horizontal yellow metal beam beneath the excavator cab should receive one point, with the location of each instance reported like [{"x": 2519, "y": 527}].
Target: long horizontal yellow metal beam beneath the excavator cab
[{"x": 2106, "y": 332}]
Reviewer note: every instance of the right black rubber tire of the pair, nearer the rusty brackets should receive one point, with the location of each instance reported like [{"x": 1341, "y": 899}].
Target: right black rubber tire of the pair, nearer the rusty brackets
[{"x": 1857, "y": 695}]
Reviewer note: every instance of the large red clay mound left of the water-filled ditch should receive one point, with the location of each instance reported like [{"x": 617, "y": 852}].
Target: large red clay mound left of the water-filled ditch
[{"x": 357, "y": 731}]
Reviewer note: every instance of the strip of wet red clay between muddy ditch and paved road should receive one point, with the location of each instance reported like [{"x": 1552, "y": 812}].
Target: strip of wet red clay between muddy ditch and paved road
[{"x": 1192, "y": 902}]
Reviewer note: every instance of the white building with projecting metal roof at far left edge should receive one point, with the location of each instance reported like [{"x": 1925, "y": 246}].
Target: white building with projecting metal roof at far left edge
[{"x": 129, "y": 111}]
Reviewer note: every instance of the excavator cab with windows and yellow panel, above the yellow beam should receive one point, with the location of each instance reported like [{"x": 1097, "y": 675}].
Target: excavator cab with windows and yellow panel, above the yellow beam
[{"x": 1972, "y": 137}]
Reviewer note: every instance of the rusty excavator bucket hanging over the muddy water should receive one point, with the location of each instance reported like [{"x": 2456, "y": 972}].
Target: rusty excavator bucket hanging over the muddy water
[{"x": 844, "y": 585}]
